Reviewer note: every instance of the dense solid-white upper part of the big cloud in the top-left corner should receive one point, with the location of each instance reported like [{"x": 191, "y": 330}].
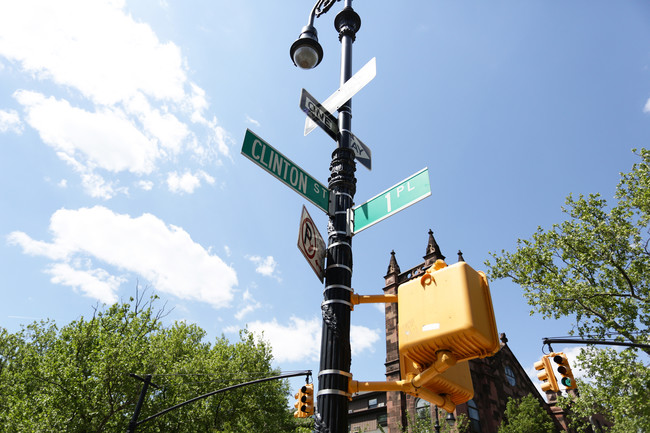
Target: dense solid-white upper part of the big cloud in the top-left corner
[{"x": 93, "y": 46}]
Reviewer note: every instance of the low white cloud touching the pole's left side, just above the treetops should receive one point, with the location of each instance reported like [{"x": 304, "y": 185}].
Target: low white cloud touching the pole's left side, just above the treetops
[{"x": 283, "y": 338}]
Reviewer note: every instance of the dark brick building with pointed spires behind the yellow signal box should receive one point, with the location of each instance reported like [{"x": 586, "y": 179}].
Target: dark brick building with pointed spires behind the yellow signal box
[{"x": 494, "y": 379}]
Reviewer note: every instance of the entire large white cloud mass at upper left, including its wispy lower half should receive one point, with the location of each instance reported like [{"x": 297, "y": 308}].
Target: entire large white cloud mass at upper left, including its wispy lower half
[{"x": 145, "y": 109}]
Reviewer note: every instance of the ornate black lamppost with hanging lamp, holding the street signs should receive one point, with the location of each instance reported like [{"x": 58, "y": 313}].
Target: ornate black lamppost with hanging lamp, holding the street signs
[{"x": 332, "y": 397}]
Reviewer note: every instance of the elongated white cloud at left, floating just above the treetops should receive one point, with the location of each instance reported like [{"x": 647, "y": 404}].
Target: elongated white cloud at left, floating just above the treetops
[{"x": 165, "y": 255}]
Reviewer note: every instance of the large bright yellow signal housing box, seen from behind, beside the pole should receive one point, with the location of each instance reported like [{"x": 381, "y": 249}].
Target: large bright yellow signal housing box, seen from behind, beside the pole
[{"x": 448, "y": 308}]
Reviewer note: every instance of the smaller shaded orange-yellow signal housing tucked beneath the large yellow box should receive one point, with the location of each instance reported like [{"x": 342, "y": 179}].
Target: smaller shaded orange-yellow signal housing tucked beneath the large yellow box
[{"x": 456, "y": 382}]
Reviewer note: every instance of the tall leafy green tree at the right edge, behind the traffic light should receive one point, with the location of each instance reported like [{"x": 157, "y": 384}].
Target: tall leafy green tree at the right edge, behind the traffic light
[{"x": 594, "y": 267}]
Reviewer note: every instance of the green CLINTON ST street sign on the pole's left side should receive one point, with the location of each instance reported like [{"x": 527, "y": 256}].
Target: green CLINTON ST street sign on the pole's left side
[{"x": 278, "y": 165}]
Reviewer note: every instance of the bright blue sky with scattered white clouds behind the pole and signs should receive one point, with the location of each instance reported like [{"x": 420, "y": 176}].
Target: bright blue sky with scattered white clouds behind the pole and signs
[{"x": 121, "y": 124}]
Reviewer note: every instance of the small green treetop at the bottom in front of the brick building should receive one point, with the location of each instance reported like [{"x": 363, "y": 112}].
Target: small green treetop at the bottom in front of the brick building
[{"x": 526, "y": 415}]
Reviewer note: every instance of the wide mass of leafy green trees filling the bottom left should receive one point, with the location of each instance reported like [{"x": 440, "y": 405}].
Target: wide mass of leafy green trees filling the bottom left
[{"x": 76, "y": 378}]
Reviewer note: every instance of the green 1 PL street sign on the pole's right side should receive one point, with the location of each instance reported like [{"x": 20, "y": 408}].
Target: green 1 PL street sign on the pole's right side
[{"x": 407, "y": 192}]
